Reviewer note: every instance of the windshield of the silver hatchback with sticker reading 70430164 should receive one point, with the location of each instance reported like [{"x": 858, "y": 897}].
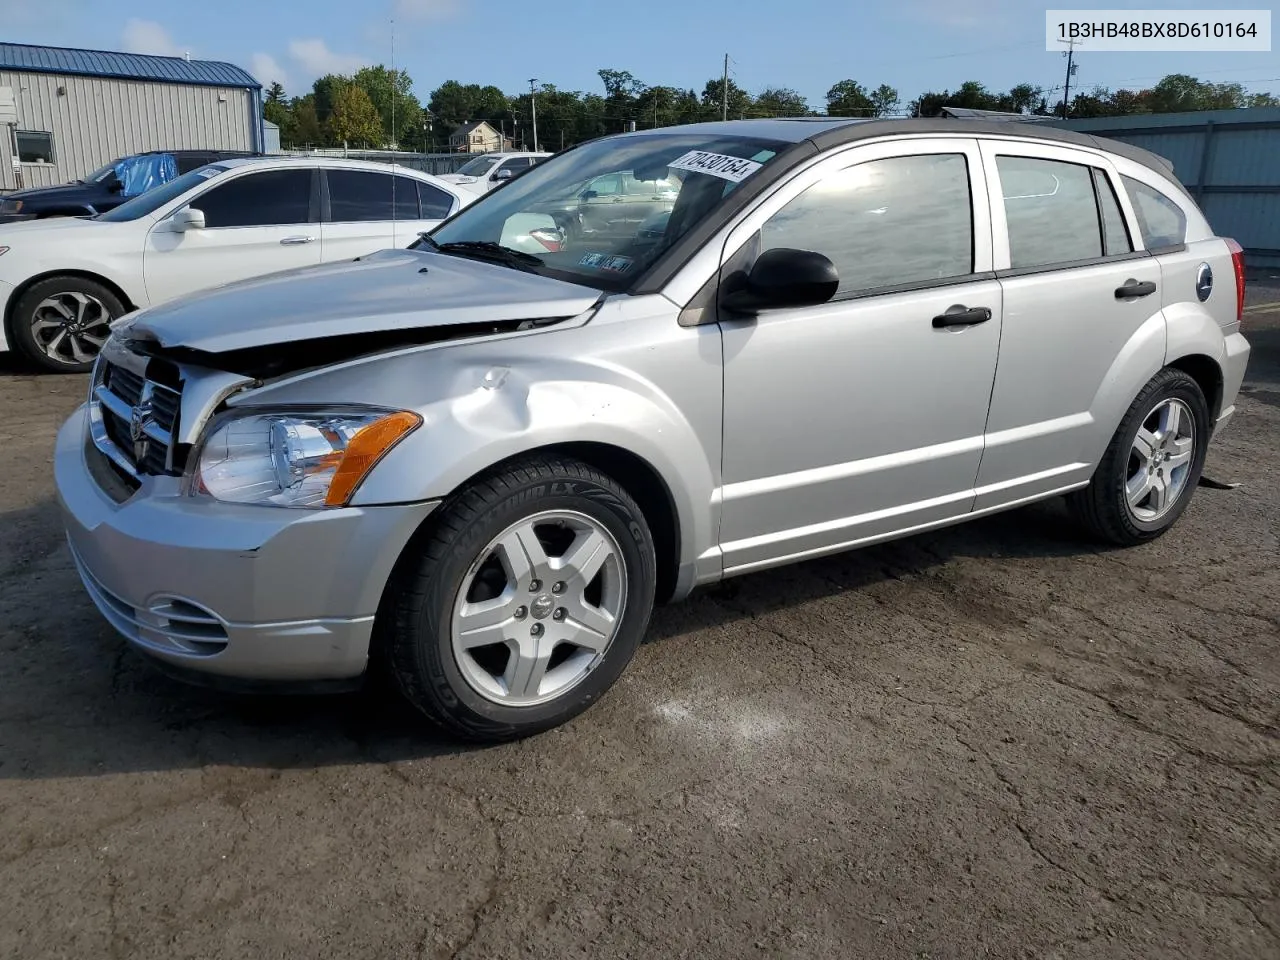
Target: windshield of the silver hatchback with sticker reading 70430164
[{"x": 601, "y": 214}]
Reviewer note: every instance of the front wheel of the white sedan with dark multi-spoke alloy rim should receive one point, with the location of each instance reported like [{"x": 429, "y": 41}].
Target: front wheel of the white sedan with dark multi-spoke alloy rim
[{"x": 62, "y": 323}]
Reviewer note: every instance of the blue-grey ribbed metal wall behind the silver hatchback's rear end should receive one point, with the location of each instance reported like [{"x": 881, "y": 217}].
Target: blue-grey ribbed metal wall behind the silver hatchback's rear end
[{"x": 1228, "y": 159}]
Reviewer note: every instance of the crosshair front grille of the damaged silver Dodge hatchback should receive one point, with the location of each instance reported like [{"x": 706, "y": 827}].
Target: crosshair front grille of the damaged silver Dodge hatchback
[{"x": 134, "y": 420}]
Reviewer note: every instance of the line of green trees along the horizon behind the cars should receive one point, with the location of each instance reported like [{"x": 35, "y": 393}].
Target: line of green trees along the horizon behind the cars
[{"x": 377, "y": 108}]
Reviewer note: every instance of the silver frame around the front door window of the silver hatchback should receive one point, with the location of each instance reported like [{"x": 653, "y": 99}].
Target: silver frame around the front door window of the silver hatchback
[{"x": 749, "y": 223}]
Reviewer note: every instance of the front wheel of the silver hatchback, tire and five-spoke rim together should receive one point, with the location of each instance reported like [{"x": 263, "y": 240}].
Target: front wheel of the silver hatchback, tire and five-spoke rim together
[{"x": 525, "y": 602}]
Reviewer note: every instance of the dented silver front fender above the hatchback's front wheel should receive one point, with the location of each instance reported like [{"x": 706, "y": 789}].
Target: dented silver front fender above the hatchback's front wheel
[{"x": 647, "y": 386}]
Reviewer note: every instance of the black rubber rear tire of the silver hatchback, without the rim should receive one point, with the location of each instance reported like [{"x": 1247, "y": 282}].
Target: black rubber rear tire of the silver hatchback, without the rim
[{"x": 1103, "y": 508}]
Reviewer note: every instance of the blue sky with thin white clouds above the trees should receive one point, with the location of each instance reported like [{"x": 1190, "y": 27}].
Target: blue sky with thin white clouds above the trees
[{"x": 808, "y": 45}]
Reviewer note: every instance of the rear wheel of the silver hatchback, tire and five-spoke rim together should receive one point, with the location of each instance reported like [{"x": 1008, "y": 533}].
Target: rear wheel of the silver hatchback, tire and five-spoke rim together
[{"x": 1153, "y": 465}]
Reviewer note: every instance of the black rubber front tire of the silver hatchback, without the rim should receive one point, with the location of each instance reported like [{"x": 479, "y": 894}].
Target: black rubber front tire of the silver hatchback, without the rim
[{"x": 417, "y": 615}]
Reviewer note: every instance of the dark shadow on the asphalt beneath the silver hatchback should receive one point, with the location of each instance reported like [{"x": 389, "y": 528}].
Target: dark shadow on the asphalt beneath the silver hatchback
[{"x": 75, "y": 701}]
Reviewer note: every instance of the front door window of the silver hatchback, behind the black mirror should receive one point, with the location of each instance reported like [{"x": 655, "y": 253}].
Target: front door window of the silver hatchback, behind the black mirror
[{"x": 885, "y": 223}]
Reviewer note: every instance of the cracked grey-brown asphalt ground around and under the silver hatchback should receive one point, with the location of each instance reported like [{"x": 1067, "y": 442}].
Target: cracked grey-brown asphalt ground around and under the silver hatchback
[{"x": 991, "y": 742}]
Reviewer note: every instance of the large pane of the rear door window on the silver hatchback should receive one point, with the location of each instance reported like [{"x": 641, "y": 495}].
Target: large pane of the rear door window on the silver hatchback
[{"x": 1052, "y": 212}]
